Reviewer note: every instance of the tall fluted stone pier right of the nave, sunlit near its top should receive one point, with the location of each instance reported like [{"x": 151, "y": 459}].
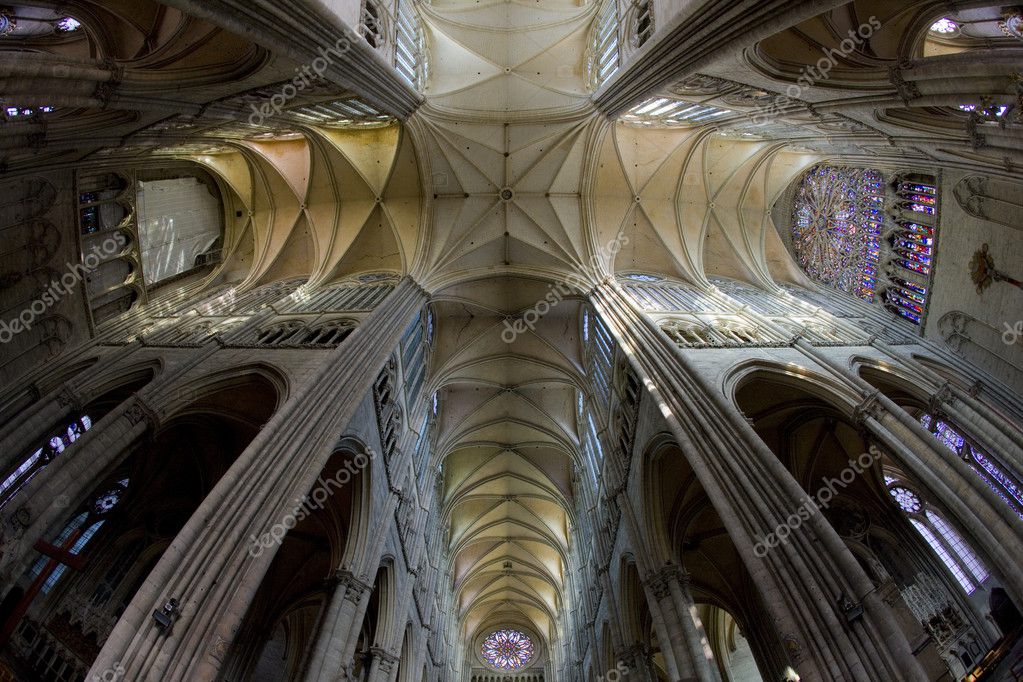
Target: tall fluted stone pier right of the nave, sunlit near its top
[{"x": 805, "y": 581}]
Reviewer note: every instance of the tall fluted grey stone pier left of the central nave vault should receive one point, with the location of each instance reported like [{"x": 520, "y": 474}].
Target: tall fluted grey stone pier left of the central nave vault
[{"x": 208, "y": 567}]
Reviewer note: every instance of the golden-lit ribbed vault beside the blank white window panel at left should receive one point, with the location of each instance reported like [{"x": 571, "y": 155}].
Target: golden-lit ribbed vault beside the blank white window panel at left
[{"x": 326, "y": 205}]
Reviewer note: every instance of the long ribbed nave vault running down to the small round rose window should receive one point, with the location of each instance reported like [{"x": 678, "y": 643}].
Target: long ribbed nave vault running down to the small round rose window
[{"x": 509, "y": 437}]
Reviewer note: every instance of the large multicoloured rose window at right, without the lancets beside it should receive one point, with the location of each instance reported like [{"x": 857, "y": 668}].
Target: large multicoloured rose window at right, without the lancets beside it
[{"x": 837, "y": 226}]
